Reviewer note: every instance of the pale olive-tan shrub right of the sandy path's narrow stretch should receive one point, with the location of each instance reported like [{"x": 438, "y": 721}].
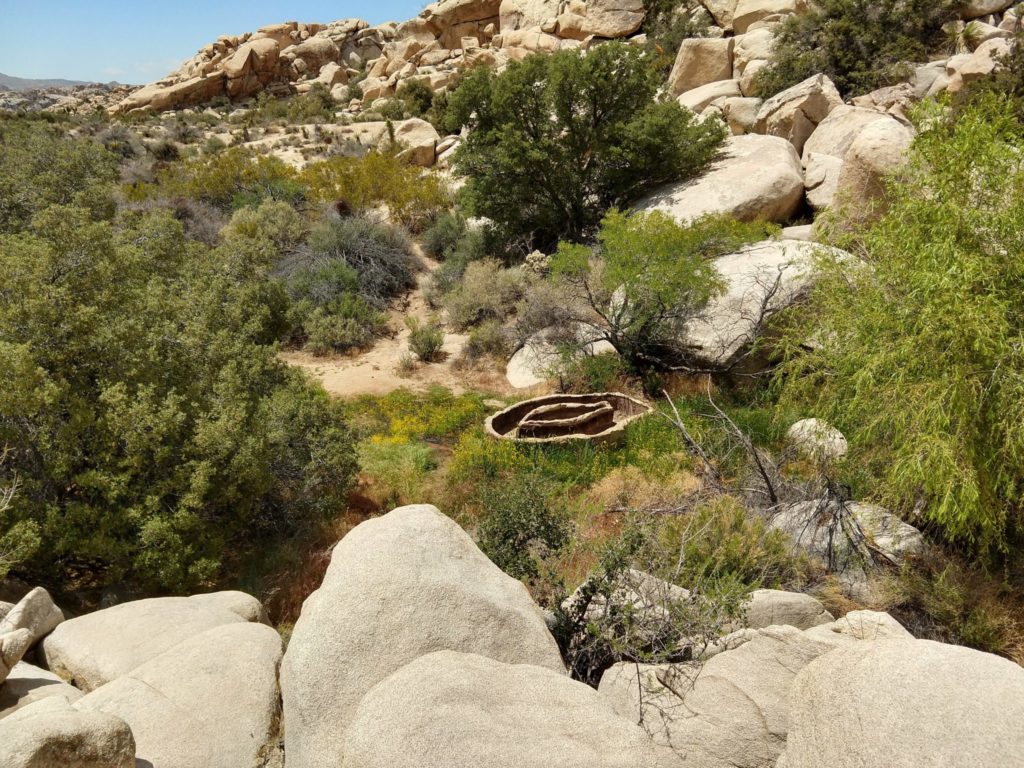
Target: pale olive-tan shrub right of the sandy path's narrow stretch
[{"x": 488, "y": 291}]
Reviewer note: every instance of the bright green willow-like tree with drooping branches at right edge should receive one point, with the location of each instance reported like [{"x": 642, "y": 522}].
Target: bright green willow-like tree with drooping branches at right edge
[{"x": 919, "y": 356}]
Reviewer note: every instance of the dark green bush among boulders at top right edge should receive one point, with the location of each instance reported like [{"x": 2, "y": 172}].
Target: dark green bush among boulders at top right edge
[{"x": 860, "y": 45}]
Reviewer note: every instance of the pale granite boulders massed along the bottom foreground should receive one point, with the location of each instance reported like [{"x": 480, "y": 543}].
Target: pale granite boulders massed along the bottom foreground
[{"x": 417, "y": 651}]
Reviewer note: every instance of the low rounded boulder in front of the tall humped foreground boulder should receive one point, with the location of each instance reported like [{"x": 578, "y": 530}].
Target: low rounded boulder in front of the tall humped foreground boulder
[{"x": 465, "y": 711}]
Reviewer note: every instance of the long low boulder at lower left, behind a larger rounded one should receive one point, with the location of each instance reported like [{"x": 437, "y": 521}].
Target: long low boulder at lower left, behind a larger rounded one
[{"x": 97, "y": 649}]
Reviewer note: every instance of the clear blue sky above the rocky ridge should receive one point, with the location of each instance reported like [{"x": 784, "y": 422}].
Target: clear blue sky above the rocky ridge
[{"x": 138, "y": 42}]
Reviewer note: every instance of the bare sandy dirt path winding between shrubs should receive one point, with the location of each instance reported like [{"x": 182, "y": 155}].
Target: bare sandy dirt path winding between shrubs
[{"x": 378, "y": 370}]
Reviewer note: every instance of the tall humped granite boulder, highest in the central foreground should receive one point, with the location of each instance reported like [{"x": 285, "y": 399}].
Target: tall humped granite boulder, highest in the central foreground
[{"x": 399, "y": 587}]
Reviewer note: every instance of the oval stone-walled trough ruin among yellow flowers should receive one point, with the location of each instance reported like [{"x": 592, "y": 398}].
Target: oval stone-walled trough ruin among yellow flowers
[{"x": 559, "y": 418}]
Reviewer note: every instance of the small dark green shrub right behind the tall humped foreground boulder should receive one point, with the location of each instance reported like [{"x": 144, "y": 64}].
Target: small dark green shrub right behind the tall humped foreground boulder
[{"x": 523, "y": 525}]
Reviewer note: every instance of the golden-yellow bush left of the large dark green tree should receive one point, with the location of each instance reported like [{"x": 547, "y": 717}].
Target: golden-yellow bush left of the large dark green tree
[{"x": 413, "y": 197}]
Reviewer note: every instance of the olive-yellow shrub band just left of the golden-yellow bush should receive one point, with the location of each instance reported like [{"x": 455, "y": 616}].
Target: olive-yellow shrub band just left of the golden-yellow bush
[{"x": 230, "y": 180}]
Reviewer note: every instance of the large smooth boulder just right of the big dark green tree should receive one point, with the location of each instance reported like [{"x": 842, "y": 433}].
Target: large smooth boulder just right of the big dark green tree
[{"x": 756, "y": 178}]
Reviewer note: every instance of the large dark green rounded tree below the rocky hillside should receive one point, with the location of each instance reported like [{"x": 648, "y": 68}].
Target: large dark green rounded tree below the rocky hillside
[{"x": 556, "y": 141}]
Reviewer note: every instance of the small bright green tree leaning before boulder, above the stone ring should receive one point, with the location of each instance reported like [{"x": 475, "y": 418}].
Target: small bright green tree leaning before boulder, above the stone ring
[{"x": 647, "y": 280}]
